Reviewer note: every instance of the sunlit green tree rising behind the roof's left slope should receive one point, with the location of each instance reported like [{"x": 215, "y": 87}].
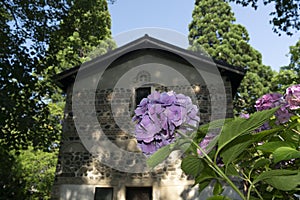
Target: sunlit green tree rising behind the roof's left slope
[{"x": 84, "y": 33}]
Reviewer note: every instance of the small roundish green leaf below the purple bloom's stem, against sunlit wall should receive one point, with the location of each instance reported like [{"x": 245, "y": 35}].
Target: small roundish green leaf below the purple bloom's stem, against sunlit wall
[{"x": 192, "y": 165}]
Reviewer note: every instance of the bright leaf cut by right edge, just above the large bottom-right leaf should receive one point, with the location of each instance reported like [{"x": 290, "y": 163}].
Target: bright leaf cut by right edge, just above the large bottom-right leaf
[{"x": 285, "y": 153}]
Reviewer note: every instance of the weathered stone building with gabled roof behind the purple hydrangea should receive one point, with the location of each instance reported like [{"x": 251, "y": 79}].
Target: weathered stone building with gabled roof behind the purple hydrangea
[{"x": 98, "y": 157}]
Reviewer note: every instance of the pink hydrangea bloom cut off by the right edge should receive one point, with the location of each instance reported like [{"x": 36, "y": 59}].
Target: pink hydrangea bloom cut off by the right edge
[{"x": 292, "y": 97}]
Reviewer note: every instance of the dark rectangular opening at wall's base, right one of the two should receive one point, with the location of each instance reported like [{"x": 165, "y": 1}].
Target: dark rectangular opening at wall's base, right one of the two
[{"x": 139, "y": 193}]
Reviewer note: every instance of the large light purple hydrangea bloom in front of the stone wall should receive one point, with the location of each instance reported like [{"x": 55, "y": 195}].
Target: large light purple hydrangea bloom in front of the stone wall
[{"x": 158, "y": 117}]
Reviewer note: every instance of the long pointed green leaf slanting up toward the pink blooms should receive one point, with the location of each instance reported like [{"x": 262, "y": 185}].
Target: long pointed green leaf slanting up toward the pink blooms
[{"x": 240, "y": 126}]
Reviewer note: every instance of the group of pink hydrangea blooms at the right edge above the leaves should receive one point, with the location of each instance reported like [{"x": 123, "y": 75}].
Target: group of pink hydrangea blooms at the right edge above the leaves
[{"x": 290, "y": 101}]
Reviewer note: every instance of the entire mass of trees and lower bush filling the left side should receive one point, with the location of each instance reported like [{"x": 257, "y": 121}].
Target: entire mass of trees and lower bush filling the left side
[{"x": 38, "y": 40}]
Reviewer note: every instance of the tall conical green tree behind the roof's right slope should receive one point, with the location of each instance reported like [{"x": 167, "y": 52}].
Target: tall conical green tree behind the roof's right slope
[{"x": 213, "y": 29}]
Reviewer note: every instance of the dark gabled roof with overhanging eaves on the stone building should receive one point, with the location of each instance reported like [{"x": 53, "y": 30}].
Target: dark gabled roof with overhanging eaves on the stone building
[{"x": 236, "y": 74}]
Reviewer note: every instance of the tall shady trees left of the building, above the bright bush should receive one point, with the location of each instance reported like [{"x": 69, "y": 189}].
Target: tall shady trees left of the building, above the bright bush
[{"x": 39, "y": 39}]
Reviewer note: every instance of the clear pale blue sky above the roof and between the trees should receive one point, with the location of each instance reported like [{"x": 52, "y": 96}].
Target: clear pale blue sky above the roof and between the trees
[{"x": 175, "y": 15}]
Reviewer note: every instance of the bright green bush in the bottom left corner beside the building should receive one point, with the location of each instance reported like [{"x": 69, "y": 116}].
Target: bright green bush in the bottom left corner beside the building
[{"x": 28, "y": 175}]
